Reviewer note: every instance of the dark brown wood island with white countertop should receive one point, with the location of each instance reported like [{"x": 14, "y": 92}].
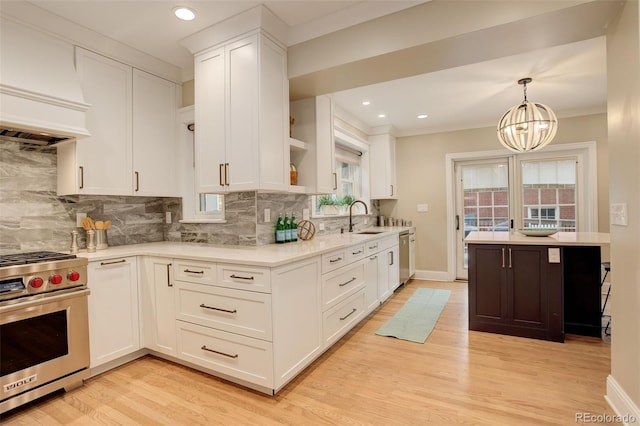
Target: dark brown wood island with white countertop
[{"x": 537, "y": 287}]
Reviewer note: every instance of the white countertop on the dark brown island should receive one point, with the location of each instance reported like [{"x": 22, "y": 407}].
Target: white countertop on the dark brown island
[{"x": 558, "y": 239}]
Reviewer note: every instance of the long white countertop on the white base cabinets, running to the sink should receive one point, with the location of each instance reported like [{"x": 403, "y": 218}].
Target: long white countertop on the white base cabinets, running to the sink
[{"x": 270, "y": 255}]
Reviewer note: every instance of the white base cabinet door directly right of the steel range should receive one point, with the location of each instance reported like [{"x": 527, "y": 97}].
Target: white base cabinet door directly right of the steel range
[{"x": 113, "y": 309}]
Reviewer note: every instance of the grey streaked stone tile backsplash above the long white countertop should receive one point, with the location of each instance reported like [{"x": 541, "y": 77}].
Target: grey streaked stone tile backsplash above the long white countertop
[{"x": 33, "y": 217}]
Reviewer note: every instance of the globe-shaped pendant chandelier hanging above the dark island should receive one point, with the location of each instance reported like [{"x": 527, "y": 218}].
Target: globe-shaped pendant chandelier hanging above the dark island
[{"x": 528, "y": 126}]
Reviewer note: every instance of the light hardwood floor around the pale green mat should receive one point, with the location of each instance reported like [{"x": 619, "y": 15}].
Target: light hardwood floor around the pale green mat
[{"x": 455, "y": 377}]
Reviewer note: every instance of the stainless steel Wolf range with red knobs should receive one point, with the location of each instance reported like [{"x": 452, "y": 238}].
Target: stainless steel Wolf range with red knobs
[{"x": 44, "y": 328}]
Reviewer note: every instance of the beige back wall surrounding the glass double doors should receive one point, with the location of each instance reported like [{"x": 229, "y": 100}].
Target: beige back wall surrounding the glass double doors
[{"x": 420, "y": 162}]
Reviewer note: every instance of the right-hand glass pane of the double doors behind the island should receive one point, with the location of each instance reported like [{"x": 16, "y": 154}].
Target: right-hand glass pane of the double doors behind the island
[{"x": 549, "y": 194}]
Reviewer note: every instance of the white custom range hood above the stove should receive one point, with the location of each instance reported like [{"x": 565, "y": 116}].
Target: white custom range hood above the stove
[{"x": 41, "y": 101}]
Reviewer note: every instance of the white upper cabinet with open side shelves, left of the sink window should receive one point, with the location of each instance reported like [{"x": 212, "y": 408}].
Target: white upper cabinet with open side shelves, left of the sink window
[{"x": 315, "y": 158}]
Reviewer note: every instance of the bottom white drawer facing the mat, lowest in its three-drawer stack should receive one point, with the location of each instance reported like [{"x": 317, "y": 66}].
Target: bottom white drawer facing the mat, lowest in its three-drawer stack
[{"x": 337, "y": 321}]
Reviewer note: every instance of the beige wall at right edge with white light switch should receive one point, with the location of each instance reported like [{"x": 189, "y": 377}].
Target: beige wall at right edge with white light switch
[{"x": 623, "y": 69}]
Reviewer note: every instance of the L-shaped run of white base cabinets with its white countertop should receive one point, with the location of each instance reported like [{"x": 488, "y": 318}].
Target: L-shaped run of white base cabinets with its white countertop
[{"x": 254, "y": 315}]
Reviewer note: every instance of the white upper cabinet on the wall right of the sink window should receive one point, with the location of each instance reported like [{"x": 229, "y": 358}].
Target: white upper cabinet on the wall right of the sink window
[{"x": 382, "y": 151}]
